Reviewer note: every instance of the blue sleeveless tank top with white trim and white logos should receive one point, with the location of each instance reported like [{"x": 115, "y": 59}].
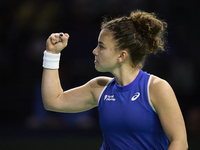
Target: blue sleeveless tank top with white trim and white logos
[{"x": 127, "y": 119}]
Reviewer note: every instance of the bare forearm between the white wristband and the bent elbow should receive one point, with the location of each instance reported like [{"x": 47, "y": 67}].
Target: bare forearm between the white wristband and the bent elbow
[{"x": 51, "y": 87}]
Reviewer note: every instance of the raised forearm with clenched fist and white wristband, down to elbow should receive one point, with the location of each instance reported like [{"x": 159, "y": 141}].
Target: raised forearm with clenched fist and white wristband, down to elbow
[{"x": 51, "y": 87}]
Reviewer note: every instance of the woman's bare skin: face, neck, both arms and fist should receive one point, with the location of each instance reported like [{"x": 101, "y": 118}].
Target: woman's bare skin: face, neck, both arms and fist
[{"x": 108, "y": 59}]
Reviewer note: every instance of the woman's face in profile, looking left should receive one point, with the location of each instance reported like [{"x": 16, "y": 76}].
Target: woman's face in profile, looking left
[{"x": 105, "y": 53}]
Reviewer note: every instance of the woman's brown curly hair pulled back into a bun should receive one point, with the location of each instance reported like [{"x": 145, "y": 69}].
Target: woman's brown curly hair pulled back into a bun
[{"x": 140, "y": 33}]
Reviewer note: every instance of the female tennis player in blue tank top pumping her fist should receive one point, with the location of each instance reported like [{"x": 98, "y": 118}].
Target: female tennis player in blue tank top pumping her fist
[{"x": 137, "y": 110}]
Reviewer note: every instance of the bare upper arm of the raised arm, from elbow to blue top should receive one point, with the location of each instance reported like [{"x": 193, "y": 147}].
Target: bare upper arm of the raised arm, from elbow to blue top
[{"x": 82, "y": 98}]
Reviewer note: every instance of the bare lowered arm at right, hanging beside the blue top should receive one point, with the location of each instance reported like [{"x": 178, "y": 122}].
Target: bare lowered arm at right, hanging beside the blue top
[{"x": 169, "y": 113}]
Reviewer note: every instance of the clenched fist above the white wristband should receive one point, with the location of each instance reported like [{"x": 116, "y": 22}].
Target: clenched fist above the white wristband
[{"x": 56, "y": 42}]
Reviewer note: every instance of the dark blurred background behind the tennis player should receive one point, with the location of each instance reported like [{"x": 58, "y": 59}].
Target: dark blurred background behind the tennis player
[{"x": 24, "y": 27}]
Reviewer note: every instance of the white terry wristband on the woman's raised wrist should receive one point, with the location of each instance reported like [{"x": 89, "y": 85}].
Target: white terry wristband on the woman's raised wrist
[{"x": 51, "y": 61}]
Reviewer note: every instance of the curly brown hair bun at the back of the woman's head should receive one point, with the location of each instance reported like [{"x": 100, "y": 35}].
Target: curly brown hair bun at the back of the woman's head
[{"x": 150, "y": 28}]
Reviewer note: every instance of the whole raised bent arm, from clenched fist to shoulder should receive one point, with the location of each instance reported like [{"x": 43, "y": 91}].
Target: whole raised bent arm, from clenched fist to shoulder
[{"x": 74, "y": 100}]
